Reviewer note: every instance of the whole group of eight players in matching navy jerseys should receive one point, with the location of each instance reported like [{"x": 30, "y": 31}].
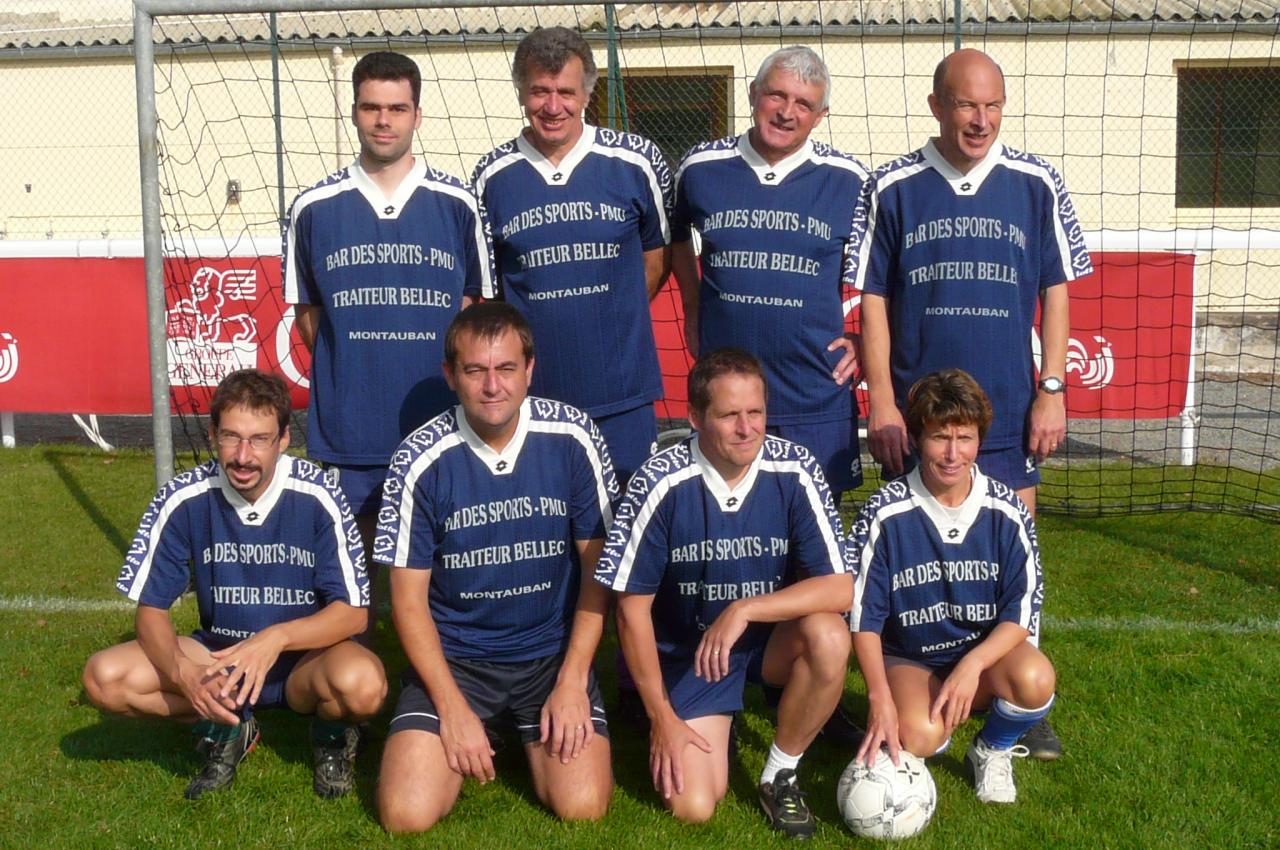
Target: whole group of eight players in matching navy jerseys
[{"x": 510, "y": 481}]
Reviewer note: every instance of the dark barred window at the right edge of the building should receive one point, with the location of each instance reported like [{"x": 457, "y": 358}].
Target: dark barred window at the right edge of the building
[{"x": 1228, "y": 138}]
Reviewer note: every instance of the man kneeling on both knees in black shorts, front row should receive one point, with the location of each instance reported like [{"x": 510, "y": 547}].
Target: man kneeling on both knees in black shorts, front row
[{"x": 496, "y": 513}]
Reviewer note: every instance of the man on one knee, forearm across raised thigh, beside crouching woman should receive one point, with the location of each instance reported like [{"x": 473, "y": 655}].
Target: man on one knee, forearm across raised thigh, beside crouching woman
[{"x": 730, "y": 563}]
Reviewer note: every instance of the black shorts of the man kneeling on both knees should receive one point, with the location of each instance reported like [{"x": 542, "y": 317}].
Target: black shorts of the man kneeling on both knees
[{"x": 500, "y": 693}]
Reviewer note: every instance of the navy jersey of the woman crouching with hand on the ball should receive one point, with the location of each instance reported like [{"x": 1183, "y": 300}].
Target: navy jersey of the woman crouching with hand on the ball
[{"x": 935, "y": 582}]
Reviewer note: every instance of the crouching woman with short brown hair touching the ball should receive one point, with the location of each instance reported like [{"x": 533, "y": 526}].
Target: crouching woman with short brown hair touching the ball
[{"x": 948, "y": 593}]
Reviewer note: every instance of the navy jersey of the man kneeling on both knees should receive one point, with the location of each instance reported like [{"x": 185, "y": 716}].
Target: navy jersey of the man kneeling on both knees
[{"x": 499, "y": 529}]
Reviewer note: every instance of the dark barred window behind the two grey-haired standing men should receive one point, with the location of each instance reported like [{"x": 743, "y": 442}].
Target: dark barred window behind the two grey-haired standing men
[{"x": 675, "y": 109}]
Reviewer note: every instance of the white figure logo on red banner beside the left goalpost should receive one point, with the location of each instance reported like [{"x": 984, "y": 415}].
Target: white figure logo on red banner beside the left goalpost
[{"x": 213, "y": 333}]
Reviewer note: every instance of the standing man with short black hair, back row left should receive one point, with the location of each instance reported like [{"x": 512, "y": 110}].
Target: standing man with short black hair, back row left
[{"x": 380, "y": 257}]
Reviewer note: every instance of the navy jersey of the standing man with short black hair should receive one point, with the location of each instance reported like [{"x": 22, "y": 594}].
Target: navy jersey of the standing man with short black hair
[{"x": 388, "y": 275}]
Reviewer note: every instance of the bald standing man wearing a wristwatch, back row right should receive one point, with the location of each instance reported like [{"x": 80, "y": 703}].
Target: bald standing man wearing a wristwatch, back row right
[{"x": 963, "y": 239}]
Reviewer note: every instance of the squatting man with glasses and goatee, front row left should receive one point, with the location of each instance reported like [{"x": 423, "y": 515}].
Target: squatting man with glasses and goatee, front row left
[{"x": 280, "y": 579}]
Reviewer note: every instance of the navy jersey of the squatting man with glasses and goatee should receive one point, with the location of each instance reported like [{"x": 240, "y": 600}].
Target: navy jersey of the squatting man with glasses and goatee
[{"x": 280, "y": 559}]
